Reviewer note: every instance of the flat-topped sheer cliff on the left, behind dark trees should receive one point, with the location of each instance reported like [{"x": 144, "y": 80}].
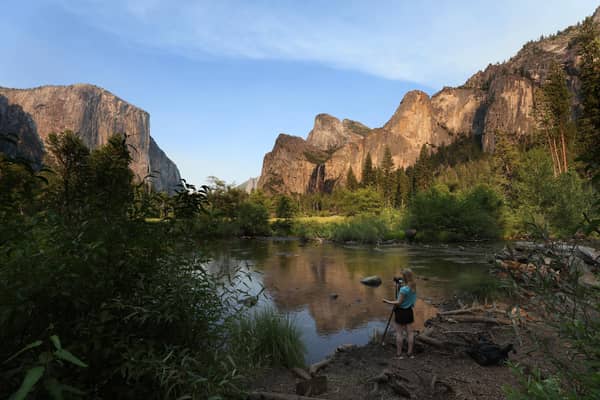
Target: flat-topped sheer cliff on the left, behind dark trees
[{"x": 94, "y": 114}]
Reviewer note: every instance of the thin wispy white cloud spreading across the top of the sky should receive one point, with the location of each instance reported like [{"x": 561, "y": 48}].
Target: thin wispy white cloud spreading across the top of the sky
[{"x": 428, "y": 42}]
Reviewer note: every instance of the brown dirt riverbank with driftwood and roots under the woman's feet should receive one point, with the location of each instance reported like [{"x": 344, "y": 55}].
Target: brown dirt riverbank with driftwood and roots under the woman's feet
[{"x": 452, "y": 345}]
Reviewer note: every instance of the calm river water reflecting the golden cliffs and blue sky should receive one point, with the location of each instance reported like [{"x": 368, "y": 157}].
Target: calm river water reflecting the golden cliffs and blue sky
[{"x": 299, "y": 279}]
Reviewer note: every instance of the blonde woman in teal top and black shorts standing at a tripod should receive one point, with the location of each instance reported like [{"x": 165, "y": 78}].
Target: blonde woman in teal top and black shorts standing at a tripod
[{"x": 403, "y": 313}]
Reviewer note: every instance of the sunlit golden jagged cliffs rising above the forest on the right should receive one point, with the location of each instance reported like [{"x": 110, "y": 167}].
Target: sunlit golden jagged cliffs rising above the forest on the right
[{"x": 497, "y": 100}]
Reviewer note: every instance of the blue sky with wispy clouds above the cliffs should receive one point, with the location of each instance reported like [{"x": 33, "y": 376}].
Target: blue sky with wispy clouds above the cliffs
[{"x": 221, "y": 79}]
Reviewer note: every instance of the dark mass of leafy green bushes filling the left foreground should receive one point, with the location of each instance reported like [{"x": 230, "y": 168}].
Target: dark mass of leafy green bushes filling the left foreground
[{"x": 130, "y": 298}]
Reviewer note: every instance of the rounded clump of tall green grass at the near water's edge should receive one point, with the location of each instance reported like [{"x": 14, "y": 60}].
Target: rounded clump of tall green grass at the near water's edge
[{"x": 267, "y": 339}]
